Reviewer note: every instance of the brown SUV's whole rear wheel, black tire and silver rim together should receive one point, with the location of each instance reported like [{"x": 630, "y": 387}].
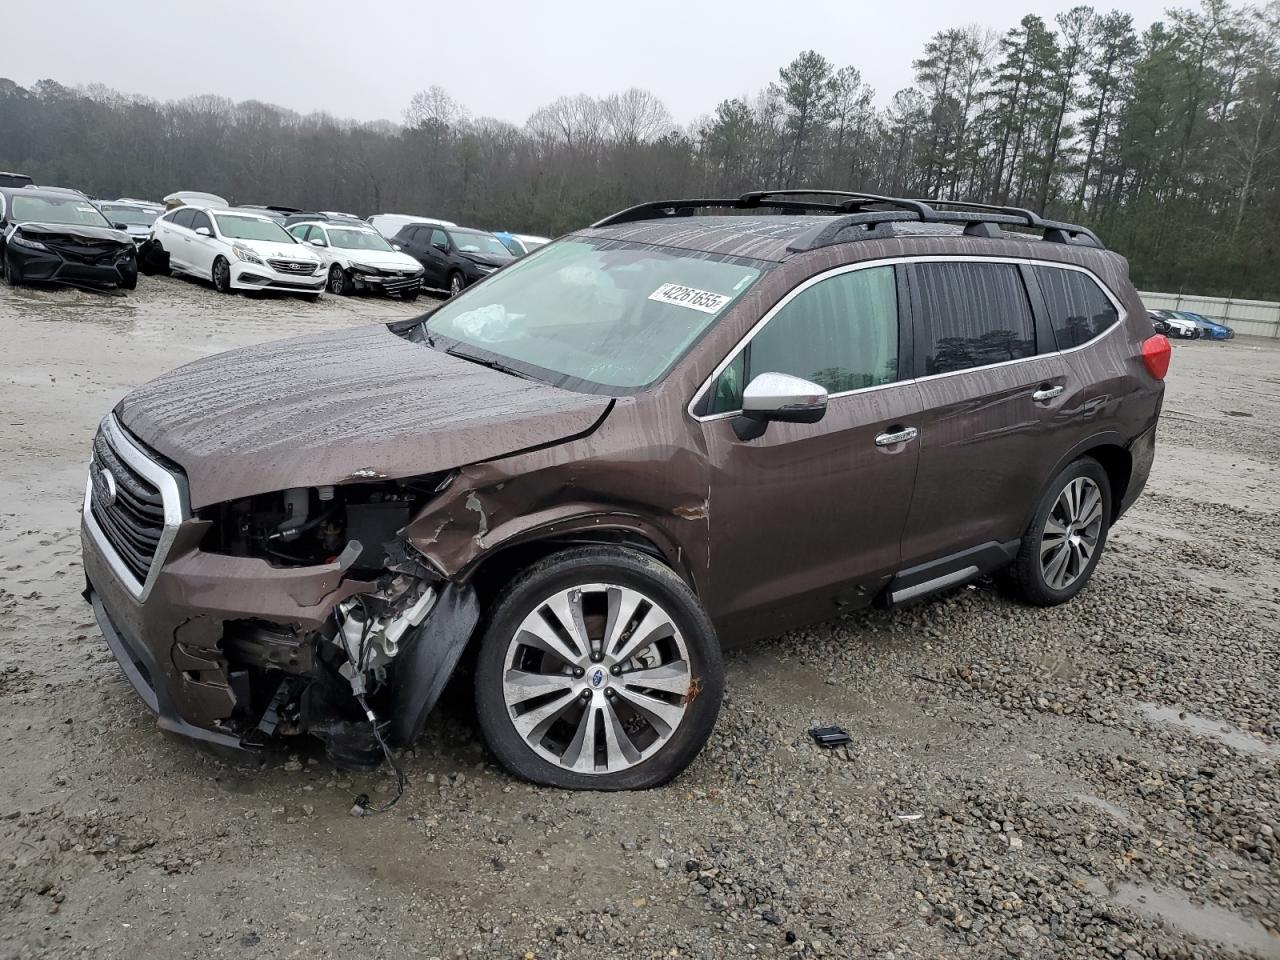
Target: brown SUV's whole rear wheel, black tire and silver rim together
[{"x": 1035, "y": 575}]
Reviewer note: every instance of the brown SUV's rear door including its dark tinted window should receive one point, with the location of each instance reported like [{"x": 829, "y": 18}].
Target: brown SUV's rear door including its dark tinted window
[{"x": 994, "y": 388}]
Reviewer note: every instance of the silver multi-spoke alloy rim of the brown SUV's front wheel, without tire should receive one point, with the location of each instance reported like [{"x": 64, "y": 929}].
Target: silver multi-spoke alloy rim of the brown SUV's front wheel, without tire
[{"x": 597, "y": 679}]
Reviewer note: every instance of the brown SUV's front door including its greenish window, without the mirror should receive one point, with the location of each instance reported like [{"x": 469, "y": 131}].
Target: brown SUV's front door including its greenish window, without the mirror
[{"x": 808, "y": 519}]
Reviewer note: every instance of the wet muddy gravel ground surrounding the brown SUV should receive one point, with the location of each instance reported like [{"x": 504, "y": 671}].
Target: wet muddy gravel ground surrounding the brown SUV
[{"x": 1098, "y": 780}]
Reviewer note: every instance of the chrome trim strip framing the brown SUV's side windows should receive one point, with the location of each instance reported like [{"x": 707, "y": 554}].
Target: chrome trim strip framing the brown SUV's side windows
[{"x": 892, "y": 262}]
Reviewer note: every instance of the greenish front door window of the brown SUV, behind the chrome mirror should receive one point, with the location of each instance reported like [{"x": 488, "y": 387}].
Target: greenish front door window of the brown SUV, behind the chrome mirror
[{"x": 840, "y": 333}]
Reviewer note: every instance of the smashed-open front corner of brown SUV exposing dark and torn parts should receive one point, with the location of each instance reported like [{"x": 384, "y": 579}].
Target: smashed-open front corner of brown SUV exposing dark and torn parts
[{"x": 336, "y": 680}]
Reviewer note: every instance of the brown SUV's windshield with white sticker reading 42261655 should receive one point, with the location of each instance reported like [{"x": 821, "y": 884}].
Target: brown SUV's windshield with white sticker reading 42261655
[{"x": 592, "y": 314}]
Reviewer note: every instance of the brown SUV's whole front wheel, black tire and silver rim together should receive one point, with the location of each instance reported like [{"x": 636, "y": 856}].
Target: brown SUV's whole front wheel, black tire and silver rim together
[{"x": 675, "y": 644}]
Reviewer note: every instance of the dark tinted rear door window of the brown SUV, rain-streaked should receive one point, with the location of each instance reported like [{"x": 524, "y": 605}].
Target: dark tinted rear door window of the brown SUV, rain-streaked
[{"x": 971, "y": 316}]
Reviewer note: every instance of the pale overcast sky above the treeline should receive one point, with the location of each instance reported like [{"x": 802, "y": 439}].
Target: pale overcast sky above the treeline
[{"x": 500, "y": 60}]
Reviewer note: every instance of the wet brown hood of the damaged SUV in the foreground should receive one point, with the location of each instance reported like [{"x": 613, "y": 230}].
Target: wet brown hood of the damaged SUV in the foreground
[{"x": 342, "y": 408}]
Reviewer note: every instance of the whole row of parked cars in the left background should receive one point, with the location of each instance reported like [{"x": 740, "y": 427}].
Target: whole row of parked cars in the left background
[{"x": 246, "y": 246}]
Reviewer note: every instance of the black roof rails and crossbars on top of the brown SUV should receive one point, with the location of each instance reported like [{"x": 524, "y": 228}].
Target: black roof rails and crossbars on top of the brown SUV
[{"x": 852, "y": 209}]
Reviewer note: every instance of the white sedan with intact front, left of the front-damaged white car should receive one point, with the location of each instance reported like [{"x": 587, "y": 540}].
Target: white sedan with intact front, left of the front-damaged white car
[{"x": 237, "y": 252}]
